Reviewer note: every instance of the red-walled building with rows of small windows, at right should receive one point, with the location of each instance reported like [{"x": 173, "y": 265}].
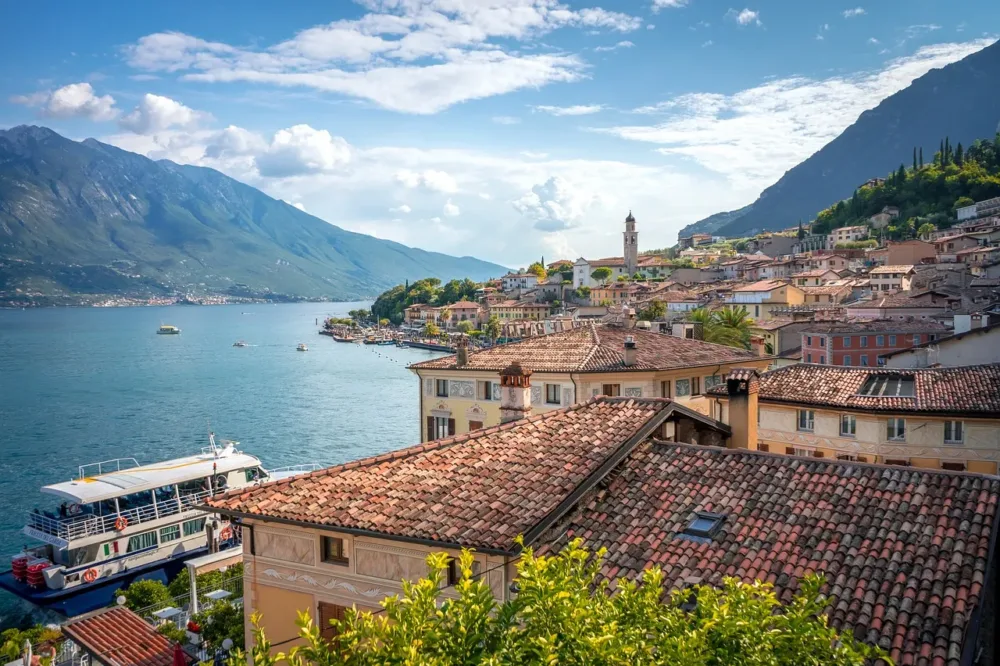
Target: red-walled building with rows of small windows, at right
[{"x": 863, "y": 343}]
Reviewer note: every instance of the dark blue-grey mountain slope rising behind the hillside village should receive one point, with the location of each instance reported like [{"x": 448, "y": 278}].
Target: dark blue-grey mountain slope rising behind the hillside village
[{"x": 960, "y": 100}]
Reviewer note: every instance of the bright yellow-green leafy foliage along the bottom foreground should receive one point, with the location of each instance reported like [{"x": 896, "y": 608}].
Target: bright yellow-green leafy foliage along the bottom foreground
[{"x": 563, "y": 614}]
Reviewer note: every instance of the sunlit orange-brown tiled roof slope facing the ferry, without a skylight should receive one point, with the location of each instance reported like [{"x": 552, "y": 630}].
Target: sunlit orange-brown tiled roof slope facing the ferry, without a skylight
[{"x": 480, "y": 489}]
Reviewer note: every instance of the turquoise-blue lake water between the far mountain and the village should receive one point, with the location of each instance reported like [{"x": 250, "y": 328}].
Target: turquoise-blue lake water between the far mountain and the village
[{"x": 80, "y": 385}]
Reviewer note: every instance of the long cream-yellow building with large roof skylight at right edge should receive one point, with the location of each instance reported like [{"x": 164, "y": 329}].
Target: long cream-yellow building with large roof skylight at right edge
[{"x": 936, "y": 418}]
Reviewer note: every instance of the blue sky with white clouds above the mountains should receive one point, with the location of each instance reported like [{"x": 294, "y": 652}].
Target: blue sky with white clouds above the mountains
[{"x": 501, "y": 129}]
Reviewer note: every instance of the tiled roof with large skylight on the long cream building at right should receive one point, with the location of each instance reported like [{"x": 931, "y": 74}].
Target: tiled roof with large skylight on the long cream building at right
[{"x": 970, "y": 390}]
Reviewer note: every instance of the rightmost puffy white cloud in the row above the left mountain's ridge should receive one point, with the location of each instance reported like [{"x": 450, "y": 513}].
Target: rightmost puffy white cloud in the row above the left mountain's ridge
[{"x": 302, "y": 150}]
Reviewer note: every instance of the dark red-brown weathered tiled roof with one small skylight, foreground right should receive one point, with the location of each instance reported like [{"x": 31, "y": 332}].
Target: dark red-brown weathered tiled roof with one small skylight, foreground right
[{"x": 904, "y": 551}]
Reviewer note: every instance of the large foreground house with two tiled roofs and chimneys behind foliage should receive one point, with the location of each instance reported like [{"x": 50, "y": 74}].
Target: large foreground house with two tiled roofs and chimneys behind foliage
[{"x": 346, "y": 536}]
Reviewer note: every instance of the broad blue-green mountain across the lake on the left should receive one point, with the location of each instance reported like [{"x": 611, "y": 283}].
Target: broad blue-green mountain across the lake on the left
[{"x": 89, "y": 218}]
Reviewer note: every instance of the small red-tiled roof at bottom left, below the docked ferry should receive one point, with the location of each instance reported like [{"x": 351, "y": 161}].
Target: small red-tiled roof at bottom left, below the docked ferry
[{"x": 119, "y": 637}]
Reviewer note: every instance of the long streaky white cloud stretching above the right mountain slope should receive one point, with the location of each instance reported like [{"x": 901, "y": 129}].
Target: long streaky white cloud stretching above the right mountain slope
[{"x": 754, "y": 135}]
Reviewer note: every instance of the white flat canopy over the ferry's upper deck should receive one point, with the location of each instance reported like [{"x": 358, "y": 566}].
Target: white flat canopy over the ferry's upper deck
[{"x": 147, "y": 477}]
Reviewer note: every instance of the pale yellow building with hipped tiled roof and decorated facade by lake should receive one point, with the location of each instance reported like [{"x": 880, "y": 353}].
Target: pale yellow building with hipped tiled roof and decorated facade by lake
[{"x": 460, "y": 393}]
